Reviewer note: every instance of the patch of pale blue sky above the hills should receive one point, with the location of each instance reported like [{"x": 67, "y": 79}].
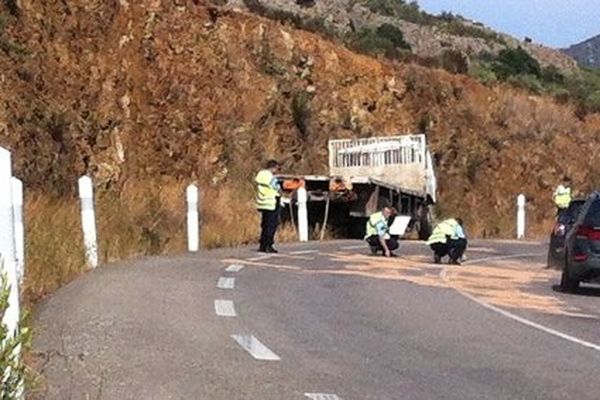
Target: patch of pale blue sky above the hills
[{"x": 556, "y": 23}]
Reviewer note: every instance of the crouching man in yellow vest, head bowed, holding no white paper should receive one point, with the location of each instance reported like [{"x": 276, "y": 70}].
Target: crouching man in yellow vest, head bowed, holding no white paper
[{"x": 448, "y": 239}]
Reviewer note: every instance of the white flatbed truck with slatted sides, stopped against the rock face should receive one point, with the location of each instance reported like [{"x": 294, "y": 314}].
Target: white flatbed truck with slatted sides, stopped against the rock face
[{"x": 366, "y": 174}]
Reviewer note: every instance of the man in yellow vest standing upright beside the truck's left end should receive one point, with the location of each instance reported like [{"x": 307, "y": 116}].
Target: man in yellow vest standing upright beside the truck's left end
[{"x": 267, "y": 202}]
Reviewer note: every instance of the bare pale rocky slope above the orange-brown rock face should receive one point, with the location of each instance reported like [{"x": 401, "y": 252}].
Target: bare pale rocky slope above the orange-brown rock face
[{"x": 426, "y": 40}]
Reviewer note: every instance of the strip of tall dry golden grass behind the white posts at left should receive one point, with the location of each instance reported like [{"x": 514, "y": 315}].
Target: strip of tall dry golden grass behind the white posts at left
[{"x": 137, "y": 220}]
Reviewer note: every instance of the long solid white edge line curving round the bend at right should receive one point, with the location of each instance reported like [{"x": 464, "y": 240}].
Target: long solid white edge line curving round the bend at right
[{"x": 514, "y": 317}]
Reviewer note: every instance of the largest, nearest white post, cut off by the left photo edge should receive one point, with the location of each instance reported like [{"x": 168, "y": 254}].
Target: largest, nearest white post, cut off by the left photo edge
[{"x": 8, "y": 265}]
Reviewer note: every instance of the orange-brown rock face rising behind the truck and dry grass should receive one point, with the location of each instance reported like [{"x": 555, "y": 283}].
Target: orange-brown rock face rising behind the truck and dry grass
[{"x": 139, "y": 90}]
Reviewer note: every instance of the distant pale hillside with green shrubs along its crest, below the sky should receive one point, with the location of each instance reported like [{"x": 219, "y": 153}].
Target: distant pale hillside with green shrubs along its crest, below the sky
[{"x": 428, "y": 36}]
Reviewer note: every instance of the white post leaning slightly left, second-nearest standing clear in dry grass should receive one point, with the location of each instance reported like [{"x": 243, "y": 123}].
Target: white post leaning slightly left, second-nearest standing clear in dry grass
[{"x": 88, "y": 220}]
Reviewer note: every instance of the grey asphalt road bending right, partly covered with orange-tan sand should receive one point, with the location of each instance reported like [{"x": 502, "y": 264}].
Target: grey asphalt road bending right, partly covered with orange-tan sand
[{"x": 321, "y": 321}]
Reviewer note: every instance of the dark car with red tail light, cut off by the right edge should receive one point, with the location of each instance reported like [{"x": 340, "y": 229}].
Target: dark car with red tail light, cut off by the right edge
[{"x": 582, "y": 246}]
